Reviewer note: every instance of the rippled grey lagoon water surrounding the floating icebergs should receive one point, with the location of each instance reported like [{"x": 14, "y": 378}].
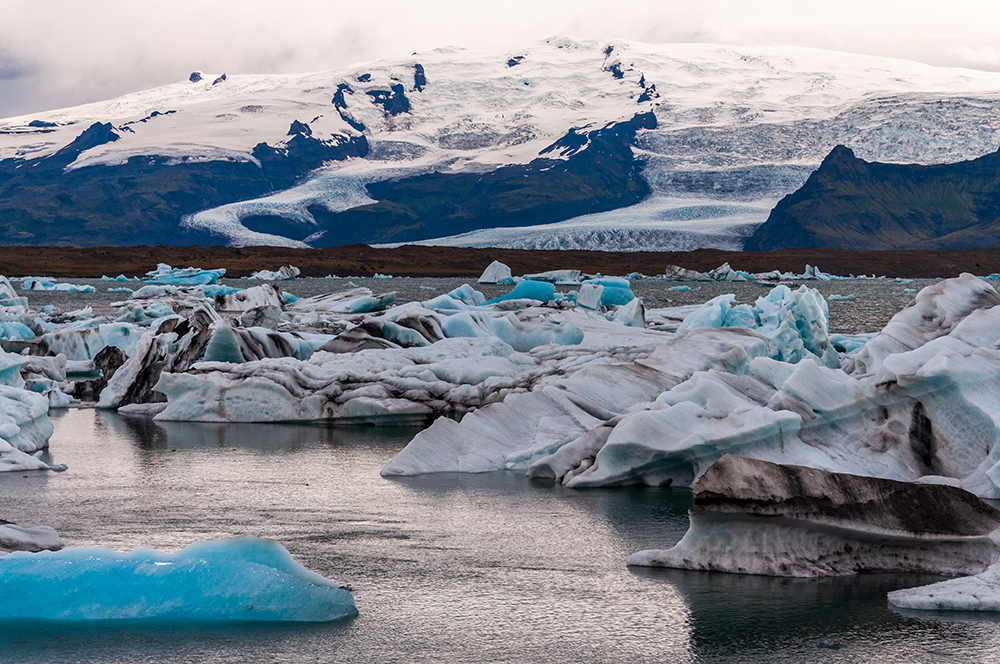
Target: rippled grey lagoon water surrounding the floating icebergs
[{"x": 444, "y": 568}]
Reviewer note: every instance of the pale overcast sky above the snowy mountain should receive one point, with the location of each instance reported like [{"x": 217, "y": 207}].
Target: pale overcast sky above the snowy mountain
[{"x": 57, "y": 53}]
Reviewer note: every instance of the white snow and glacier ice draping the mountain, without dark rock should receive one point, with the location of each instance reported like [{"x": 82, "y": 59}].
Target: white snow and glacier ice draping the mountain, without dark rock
[{"x": 737, "y": 128}]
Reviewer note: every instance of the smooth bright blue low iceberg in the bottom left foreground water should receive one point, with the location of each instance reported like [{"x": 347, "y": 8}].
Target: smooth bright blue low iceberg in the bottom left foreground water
[{"x": 237, "y": 579}]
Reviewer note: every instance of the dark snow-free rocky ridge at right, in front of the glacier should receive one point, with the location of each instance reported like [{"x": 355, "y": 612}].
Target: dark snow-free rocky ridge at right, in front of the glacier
[{"x": 848, "y": 203}]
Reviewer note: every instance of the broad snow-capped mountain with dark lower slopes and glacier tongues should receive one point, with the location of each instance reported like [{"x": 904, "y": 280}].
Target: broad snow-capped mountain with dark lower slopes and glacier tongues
[{"x": 564, "y": 144}]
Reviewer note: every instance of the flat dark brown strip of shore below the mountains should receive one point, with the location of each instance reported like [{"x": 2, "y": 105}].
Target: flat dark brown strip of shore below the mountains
[{"x": 417, "y": 261}]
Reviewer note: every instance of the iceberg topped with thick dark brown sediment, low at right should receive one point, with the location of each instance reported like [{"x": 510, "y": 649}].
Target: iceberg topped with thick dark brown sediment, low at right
[{"x": 756, "y": 517}]
